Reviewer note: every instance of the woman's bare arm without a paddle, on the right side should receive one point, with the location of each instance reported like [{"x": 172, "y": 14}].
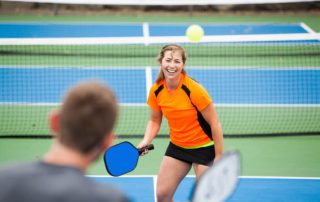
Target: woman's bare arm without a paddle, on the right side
[{"x": 210, "y": 115}]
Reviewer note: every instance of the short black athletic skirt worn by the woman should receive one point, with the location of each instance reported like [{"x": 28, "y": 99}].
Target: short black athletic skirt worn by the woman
[{"x": 203, "y": 155}]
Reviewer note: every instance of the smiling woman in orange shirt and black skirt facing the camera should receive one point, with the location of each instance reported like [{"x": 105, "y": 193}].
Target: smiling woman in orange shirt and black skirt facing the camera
[{"x": 196, "y": 137}]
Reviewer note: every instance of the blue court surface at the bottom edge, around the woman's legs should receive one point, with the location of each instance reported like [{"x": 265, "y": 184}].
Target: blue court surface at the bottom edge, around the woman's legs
[{"x": 142, "y": 188}]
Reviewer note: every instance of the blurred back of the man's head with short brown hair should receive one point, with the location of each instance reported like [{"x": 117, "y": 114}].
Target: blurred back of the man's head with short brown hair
[{"x": 87, "y": 115}]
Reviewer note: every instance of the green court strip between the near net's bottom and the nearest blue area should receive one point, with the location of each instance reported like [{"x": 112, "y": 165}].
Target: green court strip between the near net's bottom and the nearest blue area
[{"x": 276, "y": 156}]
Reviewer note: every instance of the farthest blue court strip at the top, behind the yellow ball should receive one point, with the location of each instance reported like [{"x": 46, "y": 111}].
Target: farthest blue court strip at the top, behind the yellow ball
[{"x": 57, "y": 30}]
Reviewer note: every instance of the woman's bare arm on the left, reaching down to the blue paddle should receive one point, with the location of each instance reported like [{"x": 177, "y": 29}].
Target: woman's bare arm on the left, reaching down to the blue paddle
[{"x": 153, "y": 127}]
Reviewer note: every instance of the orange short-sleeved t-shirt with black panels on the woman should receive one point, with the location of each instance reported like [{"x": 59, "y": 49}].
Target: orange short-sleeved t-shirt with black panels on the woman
[{"x": 185, "y": 129}]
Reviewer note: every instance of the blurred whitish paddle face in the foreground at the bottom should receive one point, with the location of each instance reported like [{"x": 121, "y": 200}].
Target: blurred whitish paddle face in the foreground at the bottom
[{"x": 220, "y": 180}]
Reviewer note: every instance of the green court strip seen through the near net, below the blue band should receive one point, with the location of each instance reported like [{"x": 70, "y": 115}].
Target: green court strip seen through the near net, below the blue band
[{"x": 235, "y": 120}]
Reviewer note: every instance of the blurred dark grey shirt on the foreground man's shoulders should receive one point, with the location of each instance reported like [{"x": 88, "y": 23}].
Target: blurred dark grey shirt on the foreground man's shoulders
[{"x": 47, "y": 181}]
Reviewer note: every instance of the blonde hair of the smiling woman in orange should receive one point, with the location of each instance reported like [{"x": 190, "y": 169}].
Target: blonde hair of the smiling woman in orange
[{"x": 173, "y": 48}]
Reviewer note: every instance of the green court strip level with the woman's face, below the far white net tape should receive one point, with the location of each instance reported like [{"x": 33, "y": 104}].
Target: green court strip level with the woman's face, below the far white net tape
[{"x": 260, "y": 55}]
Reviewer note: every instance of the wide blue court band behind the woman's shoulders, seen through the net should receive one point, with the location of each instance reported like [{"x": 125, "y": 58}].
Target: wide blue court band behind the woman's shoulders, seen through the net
[{"x": 226, "y": 86}]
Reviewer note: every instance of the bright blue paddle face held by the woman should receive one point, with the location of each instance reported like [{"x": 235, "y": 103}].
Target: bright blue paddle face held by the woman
[{"x": 121, "y": 158}]
